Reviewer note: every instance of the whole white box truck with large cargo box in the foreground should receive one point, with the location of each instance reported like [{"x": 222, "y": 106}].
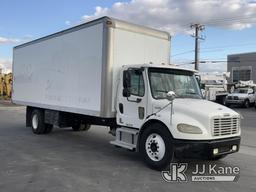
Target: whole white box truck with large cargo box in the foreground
[{"x": 113, "y": 73}]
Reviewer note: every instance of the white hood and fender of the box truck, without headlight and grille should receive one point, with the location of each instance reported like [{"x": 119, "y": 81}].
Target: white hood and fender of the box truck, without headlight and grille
[{"x": 195, "y": 112}]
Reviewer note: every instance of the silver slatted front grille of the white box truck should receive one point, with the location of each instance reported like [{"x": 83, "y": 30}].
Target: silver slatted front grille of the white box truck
[{"x": 225, "y": 126}]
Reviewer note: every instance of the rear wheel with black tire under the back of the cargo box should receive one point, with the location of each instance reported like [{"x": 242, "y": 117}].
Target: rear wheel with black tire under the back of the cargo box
[{"x": 37, "y": 122}]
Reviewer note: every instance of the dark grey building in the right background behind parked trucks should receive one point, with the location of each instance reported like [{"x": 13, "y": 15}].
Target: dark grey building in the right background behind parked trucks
[{"x": 242, "y": 67}]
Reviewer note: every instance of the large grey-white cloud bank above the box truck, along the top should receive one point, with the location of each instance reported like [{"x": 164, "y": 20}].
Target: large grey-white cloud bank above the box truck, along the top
[{"x": 177, "y": 15}]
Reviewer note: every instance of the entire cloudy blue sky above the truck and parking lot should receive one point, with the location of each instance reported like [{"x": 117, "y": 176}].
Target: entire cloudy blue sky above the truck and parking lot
[{"x": 29, "y": 19}]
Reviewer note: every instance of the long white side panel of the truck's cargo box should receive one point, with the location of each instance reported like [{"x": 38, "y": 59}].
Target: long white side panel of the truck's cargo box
[{"x": 62, "y": 73}]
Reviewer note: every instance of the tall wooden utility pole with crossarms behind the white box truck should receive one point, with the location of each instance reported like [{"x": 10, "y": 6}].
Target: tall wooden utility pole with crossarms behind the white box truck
[{"x": 197, "y": 28}]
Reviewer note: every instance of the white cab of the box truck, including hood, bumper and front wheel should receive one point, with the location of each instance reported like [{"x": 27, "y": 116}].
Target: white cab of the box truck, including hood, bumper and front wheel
[{"x": 162, "y": 114}]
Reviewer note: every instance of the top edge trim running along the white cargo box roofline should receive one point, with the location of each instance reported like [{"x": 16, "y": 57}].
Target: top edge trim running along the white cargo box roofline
[{"x": 109, "y": 21}]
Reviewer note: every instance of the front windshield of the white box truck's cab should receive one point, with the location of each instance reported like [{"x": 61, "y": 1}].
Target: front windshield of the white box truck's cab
[{"x": 183, "y": 83}]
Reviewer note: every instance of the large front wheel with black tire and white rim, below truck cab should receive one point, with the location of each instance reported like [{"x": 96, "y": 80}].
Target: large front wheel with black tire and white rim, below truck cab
[{"x": 155, "y": 146}]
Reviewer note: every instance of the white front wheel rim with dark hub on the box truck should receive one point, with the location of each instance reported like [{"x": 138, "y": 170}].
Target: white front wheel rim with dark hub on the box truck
[{"x": 155, "y": 147}]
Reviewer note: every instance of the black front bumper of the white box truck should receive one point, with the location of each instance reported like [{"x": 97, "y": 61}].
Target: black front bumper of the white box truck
[{"x": 204, "y": 149}]
